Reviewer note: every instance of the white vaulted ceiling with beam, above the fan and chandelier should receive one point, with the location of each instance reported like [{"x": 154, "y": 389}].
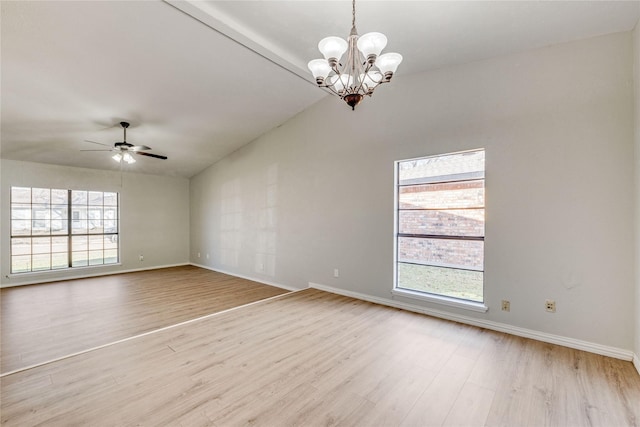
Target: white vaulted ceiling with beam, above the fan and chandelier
[{"x": 197, "y": 80}]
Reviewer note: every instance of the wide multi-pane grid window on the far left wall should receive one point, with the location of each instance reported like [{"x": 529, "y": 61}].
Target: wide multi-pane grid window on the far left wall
[{"x": 53, "y": 229}]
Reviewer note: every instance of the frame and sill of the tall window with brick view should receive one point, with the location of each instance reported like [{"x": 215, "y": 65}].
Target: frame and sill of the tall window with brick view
[{"x": 424, "y": 295}]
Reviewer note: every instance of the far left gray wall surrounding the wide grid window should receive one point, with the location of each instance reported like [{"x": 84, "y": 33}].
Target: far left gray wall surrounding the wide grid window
[{"x": 154, "y": 211}]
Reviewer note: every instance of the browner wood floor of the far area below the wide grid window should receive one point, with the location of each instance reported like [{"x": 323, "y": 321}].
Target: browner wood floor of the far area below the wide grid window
[{"x": 44, "y": 322}]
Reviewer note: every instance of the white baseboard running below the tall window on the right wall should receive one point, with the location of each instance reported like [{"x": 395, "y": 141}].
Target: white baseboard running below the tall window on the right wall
[{"x": 604, "y": 350}]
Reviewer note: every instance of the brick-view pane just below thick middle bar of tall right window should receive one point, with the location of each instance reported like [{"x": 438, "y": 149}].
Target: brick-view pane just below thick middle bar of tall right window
[{"x": 442, "y": 252}]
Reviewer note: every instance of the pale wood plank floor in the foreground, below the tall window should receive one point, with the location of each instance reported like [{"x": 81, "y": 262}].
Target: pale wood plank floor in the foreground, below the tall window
[{"x": 312, "y": 358}]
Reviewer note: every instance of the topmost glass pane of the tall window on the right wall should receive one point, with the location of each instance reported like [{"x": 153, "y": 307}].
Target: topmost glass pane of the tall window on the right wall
[{"x": 447, "y": 165}]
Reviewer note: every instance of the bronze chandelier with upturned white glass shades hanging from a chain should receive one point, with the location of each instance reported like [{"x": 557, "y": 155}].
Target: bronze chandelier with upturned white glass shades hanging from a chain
[{"x": 364, "y": 70}]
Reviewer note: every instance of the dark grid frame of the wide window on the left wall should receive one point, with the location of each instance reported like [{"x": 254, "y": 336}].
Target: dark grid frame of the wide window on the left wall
[{"x": 67, "y": 232}]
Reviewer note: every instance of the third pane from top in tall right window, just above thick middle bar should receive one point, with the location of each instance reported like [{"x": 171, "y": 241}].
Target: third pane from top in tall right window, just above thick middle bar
[{"x": 452, "y": 222}]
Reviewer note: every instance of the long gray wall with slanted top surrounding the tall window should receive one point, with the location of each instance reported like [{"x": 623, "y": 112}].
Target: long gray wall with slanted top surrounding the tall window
[{"x": 557, "y": 124}]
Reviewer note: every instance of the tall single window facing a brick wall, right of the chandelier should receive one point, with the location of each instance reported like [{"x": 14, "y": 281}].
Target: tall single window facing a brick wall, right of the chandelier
[{"x": 440, "y": 225}]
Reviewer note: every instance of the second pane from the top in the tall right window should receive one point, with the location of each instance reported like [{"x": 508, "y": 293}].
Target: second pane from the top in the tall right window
[{"x": 449, "y": 195}]
